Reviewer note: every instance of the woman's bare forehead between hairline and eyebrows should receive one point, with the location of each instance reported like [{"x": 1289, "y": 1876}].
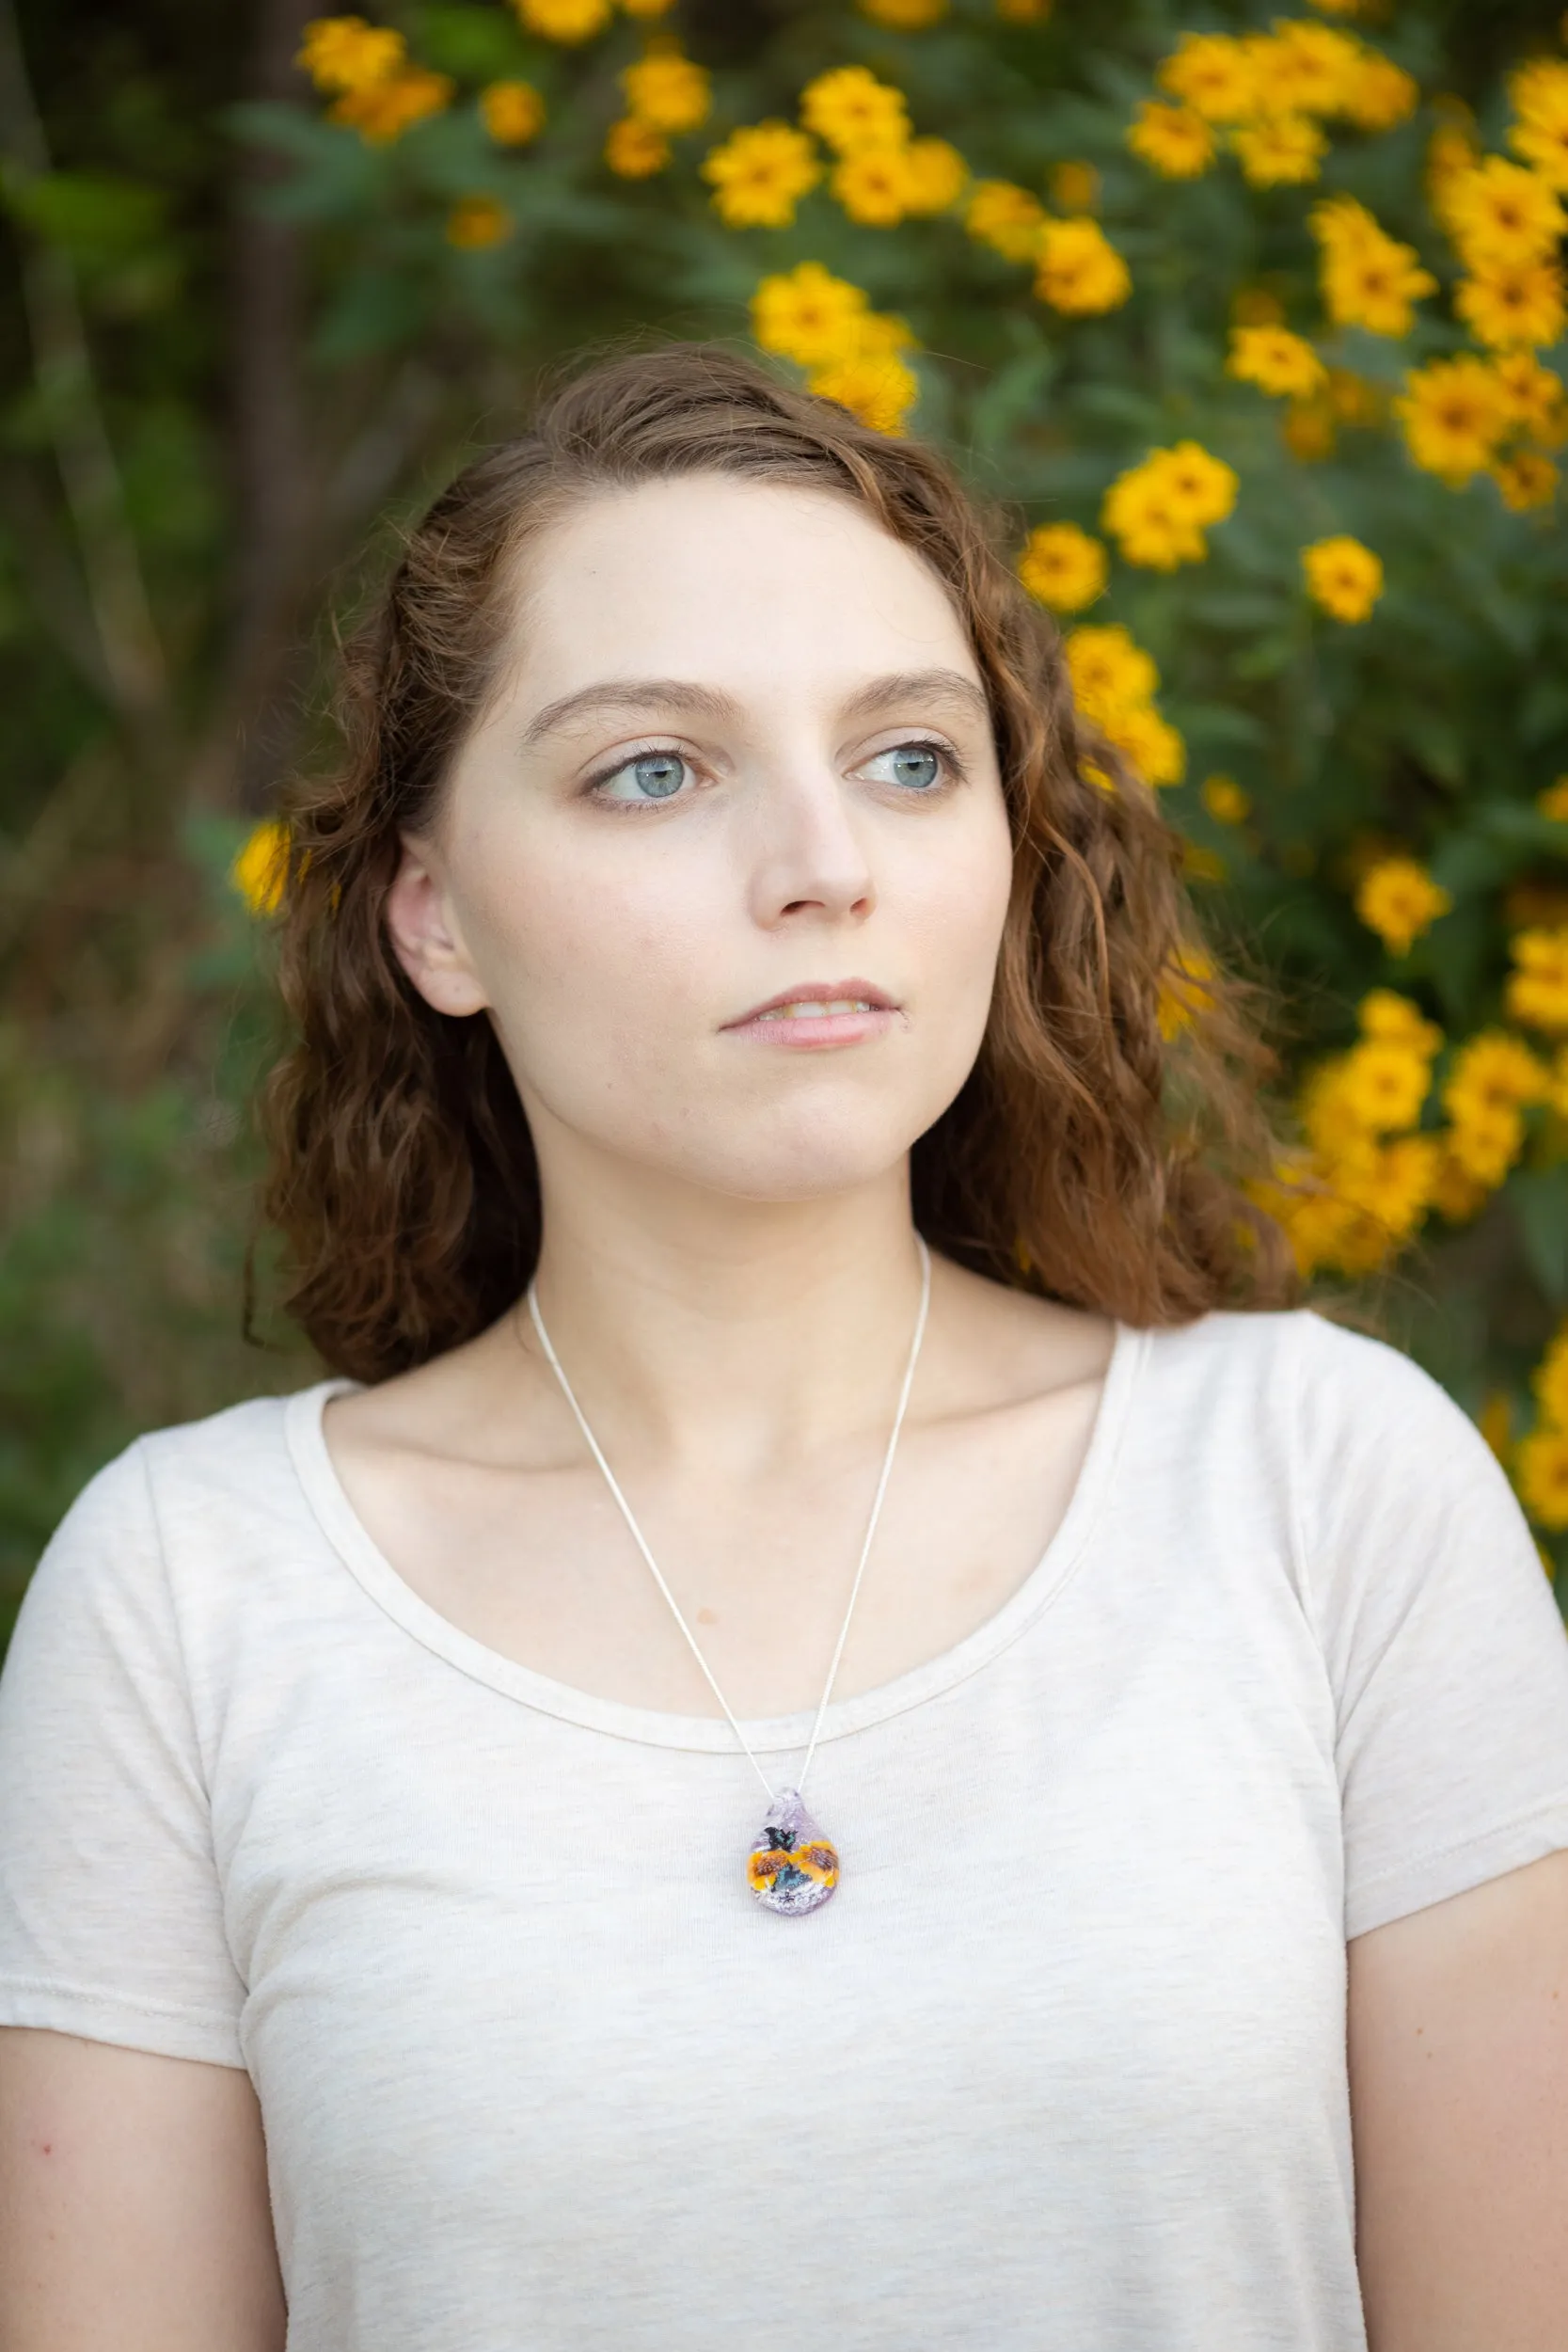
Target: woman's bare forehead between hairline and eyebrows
[{"x": 730, "y": 580}]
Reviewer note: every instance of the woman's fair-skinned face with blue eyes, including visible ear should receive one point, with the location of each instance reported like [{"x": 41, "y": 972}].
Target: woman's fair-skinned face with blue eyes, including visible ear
[{"x": 728, "y": 855}]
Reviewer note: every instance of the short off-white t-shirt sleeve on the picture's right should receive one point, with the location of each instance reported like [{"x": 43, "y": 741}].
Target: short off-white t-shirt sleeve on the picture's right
[{"x": 1442, "y": 1638}]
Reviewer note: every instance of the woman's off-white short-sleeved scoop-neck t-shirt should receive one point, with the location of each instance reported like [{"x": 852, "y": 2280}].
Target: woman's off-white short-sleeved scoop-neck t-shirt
[{"x": 1061, "y": 2064}]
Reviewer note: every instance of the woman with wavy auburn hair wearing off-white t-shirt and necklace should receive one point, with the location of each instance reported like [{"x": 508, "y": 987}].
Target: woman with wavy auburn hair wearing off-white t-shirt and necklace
[{"x": 840, "y": 1728}]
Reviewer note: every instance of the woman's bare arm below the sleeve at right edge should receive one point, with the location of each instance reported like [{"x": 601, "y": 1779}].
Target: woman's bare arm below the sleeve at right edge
[{"x": 1459, "y": 2078}]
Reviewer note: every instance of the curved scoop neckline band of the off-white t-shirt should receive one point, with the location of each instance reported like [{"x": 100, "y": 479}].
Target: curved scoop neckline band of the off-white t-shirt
[{"x": 711, "y": 1735}]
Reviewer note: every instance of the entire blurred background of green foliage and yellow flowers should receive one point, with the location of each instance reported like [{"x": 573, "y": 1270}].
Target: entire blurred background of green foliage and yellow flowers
[{"x": 1059, "y": 241}]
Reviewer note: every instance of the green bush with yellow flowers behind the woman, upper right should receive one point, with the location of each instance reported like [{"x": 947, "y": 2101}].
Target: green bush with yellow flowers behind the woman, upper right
[{"x": 1259, "y": 326}]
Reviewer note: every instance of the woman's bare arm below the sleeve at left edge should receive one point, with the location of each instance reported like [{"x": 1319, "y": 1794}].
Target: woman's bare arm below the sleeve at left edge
[{"x": 133, "y": 2203}]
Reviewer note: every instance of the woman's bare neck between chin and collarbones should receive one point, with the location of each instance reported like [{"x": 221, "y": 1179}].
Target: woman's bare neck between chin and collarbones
[{"x": 728, "y": 1332}]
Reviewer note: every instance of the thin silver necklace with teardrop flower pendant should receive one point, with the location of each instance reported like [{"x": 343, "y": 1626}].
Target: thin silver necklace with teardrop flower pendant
[{"x": 791, "y": 1869}]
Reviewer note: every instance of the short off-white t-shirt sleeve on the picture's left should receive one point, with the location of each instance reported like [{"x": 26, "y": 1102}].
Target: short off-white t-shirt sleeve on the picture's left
[{"x": 112, "y": 1918}]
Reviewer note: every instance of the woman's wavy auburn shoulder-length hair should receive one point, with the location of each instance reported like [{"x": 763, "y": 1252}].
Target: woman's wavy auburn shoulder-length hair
[{"x": 1104, "y": 1144}]
